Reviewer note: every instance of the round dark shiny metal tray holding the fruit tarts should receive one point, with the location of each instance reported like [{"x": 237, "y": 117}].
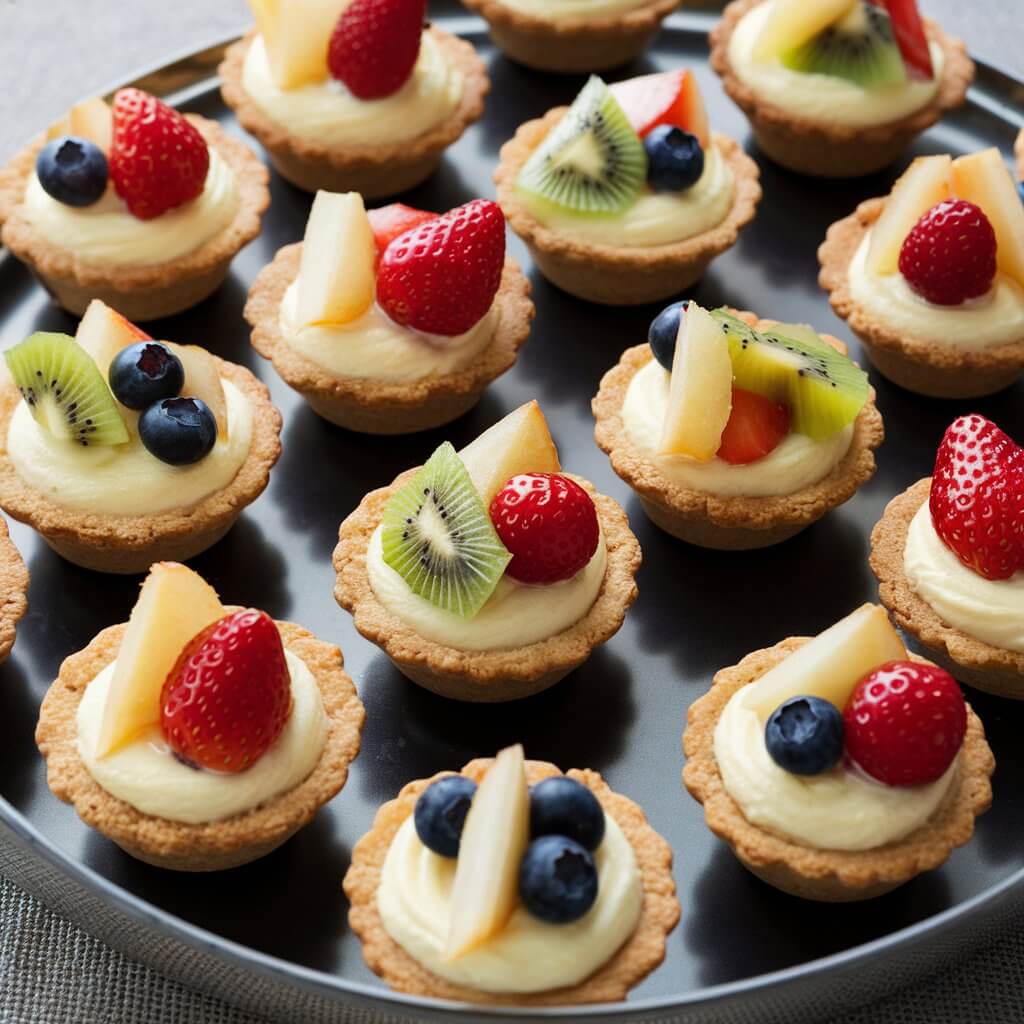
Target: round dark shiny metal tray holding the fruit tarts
[{"x": 273, "y": 936}]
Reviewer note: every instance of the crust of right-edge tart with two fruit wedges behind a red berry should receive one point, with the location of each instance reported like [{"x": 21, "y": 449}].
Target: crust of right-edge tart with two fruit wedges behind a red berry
[{"x": 919, "y": 365}]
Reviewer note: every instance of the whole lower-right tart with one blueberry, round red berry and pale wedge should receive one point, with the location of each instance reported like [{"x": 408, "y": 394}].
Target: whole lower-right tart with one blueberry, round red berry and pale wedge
[{"x": 838, "y": 767}]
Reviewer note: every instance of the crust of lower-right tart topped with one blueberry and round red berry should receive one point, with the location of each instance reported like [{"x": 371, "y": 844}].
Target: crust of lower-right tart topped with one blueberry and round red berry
[{"x": 832, "y": 876}]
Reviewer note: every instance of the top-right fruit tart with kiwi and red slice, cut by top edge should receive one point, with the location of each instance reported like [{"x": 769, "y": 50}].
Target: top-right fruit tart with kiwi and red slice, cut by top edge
[{"x": 838, "y": 89}]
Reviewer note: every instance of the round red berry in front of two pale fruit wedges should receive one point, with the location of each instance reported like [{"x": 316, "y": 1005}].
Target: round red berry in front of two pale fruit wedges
[{"x": 950, "y": 255}]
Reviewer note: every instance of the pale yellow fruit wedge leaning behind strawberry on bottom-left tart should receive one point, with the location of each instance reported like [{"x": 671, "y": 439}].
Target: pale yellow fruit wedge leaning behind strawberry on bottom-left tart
[{"x": 174, "y": 606}]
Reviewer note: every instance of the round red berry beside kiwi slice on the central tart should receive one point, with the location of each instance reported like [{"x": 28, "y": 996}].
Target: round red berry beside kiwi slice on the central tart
[{"x": 549, "y": 525}]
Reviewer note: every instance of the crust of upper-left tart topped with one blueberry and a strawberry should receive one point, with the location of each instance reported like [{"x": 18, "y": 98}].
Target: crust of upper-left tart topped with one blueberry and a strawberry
[{"x": 140, "y": 293}]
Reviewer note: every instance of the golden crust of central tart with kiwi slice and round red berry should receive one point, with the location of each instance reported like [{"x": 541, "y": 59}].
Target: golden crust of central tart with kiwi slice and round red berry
[{"x": 506, "y": 674}]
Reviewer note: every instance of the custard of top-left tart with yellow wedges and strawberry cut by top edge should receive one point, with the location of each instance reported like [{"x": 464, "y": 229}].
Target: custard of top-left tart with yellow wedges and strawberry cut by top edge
[{"x": 328, "y": 114}]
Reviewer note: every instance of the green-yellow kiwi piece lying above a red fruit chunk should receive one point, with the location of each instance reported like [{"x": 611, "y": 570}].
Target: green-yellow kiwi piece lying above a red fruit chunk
[{"x": 791, "y": 364}]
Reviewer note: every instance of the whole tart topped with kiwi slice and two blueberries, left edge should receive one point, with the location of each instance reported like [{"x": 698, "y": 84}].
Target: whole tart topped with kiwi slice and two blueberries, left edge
[{"x": 122, "y": 451}]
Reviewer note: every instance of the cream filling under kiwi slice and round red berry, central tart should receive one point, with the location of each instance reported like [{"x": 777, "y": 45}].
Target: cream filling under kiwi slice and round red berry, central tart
[{"x": 516, "y": 615}]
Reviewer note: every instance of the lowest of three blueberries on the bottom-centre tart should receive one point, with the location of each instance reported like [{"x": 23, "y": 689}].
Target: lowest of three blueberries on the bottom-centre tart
[{"x": 558, "y": 880}]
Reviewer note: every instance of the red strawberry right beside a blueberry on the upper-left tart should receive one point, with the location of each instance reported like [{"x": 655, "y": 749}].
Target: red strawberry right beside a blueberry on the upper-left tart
[{"x": 158, "y": 159}]
